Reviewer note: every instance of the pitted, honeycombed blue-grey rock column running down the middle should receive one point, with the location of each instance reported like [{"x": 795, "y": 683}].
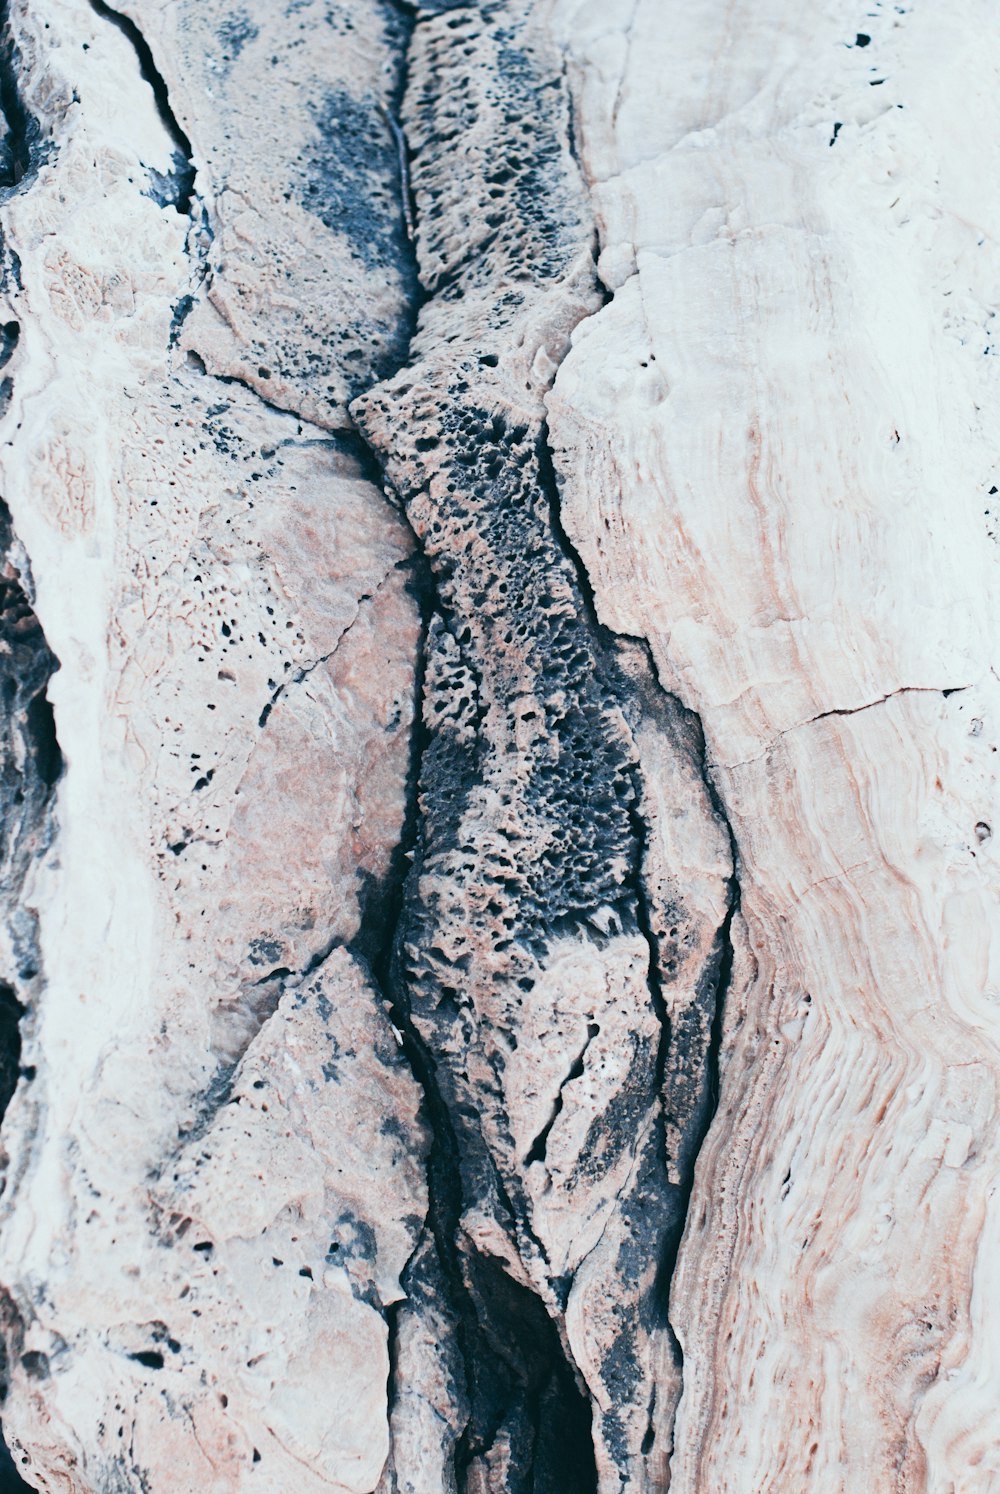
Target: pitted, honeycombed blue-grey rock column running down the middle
[{"x": 528, "y": 960}]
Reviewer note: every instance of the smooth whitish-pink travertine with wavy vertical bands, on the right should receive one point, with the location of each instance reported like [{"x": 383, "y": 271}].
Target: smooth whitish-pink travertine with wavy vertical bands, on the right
[{"x": 777, "y": 456}]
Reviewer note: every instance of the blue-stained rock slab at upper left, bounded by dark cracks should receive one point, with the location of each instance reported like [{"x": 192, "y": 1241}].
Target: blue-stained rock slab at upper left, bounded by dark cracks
[{"x": 288, "y": 111}]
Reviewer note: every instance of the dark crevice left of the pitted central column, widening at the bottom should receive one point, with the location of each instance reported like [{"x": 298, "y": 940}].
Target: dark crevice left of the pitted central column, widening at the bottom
[{"x": 518, "y": 1378}]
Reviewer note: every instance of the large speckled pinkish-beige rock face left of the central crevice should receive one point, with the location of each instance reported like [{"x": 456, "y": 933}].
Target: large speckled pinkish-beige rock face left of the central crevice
[{"x": 216, "y": 1157}]
